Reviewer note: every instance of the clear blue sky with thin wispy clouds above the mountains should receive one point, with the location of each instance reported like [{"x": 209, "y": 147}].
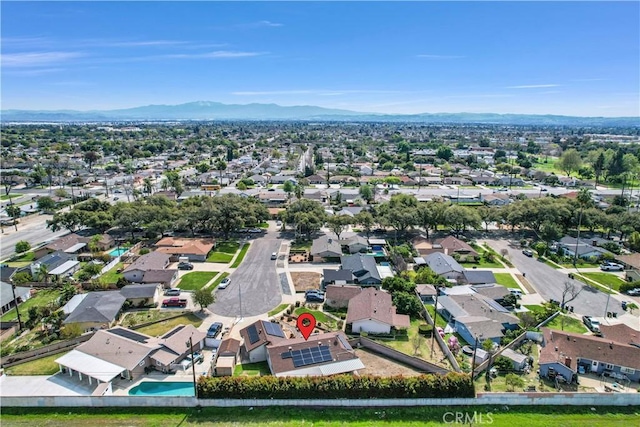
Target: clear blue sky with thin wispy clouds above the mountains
[{"x": 573, "y": 58}]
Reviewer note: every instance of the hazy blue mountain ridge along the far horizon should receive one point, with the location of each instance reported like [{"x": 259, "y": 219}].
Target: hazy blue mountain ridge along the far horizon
[{"x": 205, "y": 110}]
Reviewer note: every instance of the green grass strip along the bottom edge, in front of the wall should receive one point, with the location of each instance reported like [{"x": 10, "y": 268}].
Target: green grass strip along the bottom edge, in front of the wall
[{"x": 428, "y": 416}]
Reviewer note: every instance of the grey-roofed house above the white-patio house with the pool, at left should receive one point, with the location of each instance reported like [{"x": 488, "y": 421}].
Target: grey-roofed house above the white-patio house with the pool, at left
[{"x": 98, "y": 310}]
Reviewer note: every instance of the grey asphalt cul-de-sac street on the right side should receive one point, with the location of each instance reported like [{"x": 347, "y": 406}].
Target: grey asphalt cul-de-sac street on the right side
[{"x": 549, "y": 283}]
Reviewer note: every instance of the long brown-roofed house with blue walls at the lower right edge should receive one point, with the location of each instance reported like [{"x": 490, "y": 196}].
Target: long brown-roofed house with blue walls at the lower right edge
[{"x": 564, "y": 352}]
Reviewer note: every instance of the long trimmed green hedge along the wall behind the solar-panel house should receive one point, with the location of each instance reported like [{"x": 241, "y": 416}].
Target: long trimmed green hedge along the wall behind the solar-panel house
[{"x": 451, "y": 385}]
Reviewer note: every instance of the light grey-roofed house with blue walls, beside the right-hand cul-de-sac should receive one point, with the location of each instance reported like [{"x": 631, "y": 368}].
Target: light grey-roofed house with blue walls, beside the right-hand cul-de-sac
[{"x": 477, "y": 316}]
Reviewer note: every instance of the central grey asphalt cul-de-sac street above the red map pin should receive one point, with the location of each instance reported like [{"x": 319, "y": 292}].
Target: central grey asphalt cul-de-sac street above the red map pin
[{"x": 254, "y": 287}]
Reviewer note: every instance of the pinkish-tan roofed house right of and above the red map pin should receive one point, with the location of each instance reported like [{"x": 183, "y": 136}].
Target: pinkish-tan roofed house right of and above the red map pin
[{"x": 372, "y": 311}]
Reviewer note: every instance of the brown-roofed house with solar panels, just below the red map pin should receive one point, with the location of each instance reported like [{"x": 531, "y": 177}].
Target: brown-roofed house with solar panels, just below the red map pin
[{"x": 322, "y": 354}]
